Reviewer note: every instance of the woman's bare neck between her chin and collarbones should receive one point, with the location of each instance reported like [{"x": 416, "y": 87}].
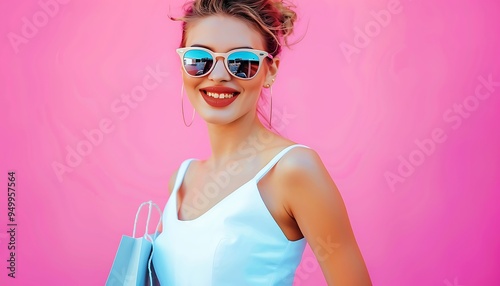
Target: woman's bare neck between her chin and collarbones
[{"x": 233, "y": 141}]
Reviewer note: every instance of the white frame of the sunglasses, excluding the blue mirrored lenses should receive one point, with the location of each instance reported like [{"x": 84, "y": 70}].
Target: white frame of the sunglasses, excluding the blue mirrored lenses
[{"x": 259, "y": 53}]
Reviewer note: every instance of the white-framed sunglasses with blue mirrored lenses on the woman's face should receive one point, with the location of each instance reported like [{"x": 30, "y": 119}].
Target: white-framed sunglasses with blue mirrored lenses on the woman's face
[{"x": 241, "y": 63}]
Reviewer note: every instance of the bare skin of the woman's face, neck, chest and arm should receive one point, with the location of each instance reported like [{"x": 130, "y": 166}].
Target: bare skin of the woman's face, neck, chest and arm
[{"x": 298, "y": 191}]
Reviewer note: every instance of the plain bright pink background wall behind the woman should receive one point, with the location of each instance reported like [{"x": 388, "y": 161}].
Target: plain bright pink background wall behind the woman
[{"x": 363, "y": 112}]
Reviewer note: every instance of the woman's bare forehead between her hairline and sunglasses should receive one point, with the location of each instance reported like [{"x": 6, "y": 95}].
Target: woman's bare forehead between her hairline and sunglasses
[{"x": 223, "y": 33}]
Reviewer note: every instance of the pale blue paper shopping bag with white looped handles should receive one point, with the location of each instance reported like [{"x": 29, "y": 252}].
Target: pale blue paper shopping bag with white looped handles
[{"x": 132, "y": 265}]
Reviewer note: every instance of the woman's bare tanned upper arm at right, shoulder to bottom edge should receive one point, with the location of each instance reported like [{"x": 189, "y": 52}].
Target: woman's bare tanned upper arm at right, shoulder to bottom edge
[{"x": 317, "y": 206}]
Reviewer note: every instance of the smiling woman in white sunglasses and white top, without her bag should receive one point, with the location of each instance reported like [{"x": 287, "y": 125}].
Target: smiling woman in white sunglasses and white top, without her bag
[{"x": 243, "y": 215}]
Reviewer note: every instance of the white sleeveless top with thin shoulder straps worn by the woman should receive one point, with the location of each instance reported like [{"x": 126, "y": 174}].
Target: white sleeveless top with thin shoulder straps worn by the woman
[{"x": 236, "y": 242}]
